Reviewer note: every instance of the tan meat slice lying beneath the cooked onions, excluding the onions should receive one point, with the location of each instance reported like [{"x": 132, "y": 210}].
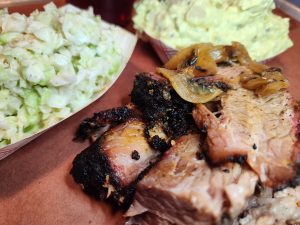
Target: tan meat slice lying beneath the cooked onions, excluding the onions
[{"x": 262, "y": 129}]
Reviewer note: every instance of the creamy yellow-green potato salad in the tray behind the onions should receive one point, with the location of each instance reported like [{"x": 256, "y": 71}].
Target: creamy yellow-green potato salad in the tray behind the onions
[{"x": 181, "y": 23}]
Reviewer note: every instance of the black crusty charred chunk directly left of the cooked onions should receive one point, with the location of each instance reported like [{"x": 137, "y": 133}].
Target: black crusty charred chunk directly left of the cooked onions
[{"x": 160, "y": 104}]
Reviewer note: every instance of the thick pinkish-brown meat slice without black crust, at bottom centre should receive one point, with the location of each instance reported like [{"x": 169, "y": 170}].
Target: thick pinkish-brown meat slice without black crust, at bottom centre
[{"x": 183, "y": 189}]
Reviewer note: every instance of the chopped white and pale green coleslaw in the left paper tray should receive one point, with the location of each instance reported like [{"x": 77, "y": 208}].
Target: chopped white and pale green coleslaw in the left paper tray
[{"x": 52, "y": 63}]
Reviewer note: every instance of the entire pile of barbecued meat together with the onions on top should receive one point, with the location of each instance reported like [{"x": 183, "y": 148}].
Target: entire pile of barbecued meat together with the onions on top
[{"x": 195, "y": 145}]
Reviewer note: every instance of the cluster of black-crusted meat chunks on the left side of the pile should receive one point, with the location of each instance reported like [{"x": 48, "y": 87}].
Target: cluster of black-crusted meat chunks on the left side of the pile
[{"x": 126, "y": 144}]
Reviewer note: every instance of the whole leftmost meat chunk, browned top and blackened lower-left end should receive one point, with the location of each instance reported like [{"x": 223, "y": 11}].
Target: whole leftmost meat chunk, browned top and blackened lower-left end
[{"x": 112, "y": 165}]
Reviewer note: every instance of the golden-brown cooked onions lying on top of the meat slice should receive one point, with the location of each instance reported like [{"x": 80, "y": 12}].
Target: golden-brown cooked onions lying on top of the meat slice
[{"x": 202, "y": 60}]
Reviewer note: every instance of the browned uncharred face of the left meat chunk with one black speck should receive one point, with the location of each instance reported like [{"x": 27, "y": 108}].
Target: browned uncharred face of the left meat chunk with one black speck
[{"x": 127, "y": 150}]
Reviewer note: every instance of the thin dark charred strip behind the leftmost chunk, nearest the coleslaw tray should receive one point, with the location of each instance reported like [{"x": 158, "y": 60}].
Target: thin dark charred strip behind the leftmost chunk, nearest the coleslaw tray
[{"x": 111, "y": 117}]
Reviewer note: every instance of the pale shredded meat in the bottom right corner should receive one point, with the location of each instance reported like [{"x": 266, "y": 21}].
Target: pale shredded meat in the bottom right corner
[{"x": 281, "y": 209}]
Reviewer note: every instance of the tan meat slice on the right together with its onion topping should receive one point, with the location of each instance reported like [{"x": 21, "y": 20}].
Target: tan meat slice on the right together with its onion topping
[{"x": 244, "y": 106}]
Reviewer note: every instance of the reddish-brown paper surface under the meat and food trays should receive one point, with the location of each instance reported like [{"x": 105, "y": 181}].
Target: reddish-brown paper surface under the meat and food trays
[{"x": 35, "y": 185}]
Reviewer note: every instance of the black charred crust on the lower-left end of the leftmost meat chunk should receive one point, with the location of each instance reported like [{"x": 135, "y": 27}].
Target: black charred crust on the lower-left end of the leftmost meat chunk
[{"x": 91, "y": 168}]
